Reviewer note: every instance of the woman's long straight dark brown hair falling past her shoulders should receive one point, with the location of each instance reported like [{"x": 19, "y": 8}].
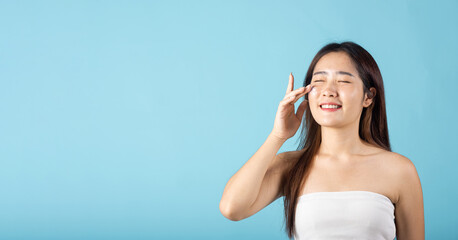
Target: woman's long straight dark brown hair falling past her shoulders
[{"x": 372, "y": 125}]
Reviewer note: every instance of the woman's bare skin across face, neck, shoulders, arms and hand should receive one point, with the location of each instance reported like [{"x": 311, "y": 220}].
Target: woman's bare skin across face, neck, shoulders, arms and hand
[{"x": 343, "y": 162}]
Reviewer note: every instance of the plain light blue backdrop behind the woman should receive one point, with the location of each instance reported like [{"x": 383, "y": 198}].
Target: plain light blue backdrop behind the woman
[{"x": 125, "y": 119}]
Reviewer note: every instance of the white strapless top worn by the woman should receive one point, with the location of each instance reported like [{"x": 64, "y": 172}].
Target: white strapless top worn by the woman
[{"x": 344, "y": 215}]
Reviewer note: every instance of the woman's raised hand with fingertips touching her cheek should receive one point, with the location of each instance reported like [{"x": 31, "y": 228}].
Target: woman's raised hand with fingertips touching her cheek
[{"x": 286, "y": 121}]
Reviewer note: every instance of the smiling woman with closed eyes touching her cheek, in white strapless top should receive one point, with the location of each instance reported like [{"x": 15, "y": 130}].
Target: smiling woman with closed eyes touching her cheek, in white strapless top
[{"x": 343, "y": 182}]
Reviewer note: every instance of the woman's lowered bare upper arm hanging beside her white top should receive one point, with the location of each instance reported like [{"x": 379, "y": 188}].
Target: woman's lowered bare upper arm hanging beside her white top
[{"x": 409, "y": 212}]
